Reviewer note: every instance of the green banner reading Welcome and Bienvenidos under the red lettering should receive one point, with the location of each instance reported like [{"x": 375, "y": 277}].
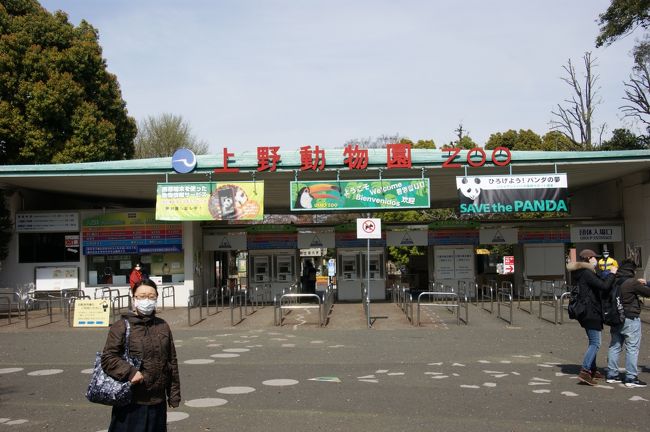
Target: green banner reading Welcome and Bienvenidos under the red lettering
[{"x": 359, "y": 194}]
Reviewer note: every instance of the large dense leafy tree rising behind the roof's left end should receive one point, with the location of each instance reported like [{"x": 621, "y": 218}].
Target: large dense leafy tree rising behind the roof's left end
[{"x": 58, "y": 103}]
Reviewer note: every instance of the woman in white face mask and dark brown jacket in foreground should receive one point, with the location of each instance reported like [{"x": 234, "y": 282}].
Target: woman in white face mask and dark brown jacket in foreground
[{"x": 156, "y": 384}]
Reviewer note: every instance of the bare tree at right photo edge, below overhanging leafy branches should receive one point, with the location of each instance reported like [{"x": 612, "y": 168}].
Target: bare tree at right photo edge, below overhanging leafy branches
[{"x": 637, "y": 91}]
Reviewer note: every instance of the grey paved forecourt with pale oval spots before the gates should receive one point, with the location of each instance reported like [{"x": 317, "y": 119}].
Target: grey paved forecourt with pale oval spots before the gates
[{"x": 486, "y": 376}]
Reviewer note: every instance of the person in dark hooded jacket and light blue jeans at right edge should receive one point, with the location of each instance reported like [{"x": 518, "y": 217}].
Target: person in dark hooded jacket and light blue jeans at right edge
[{"x": 628, "y": 333}]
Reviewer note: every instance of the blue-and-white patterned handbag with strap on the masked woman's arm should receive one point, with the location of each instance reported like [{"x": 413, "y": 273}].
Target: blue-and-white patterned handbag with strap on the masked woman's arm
[{"x": 104, "y": 389}]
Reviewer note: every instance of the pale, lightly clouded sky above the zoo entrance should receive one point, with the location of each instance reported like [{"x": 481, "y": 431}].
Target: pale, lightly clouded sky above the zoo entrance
[{"x": 288, "y": 73}]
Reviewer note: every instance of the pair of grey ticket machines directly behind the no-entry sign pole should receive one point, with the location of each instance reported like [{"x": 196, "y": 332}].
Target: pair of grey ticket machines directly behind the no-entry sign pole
[{"x": 352, "y": 266}]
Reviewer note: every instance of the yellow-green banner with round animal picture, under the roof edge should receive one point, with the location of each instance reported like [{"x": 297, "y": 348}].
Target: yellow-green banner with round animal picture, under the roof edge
[{"x": 210, "y": 201}]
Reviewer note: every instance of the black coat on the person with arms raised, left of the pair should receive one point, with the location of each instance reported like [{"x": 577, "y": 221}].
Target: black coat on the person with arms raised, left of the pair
[{"x": 592, "y": 287}]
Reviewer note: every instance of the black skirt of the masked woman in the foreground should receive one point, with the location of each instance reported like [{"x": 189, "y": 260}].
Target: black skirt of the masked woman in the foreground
[{"x": 139, "y": 418}]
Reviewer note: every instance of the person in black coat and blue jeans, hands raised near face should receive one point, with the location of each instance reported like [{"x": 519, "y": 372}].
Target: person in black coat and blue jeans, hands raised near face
[{"x": 591, "y": 287}]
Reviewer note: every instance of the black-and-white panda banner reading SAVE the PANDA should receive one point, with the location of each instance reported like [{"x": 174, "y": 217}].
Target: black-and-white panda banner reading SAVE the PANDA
[{"x": 513, "y": 193}]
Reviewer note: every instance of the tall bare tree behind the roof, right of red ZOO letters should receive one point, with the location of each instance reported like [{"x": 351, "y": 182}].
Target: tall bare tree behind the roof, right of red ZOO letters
[{"x": 575, "y": 119}]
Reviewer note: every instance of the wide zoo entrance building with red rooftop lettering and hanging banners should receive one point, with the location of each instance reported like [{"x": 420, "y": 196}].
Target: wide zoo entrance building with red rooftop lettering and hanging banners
[{"x": 197, "y": 234}]
